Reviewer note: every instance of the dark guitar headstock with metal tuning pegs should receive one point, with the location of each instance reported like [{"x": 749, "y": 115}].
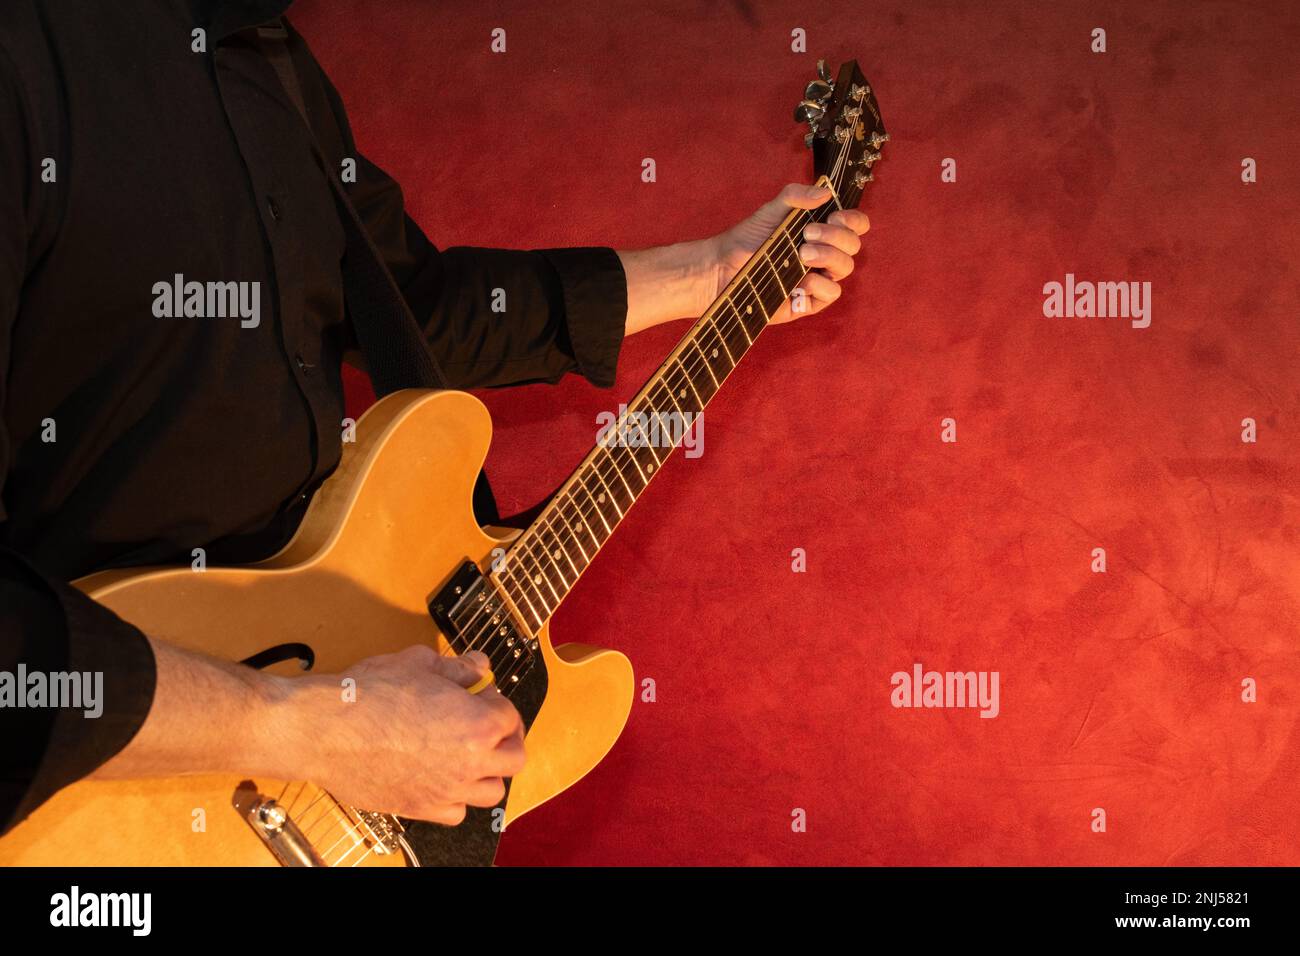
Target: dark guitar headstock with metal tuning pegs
[{"x": 846, "y": 129}]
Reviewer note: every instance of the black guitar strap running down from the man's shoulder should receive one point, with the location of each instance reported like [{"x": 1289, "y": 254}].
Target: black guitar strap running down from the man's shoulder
[{"x": 388, "y": 334}]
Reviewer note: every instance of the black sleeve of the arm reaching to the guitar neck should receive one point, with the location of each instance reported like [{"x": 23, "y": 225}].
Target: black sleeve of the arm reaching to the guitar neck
[{"x": 492, "y": 317}]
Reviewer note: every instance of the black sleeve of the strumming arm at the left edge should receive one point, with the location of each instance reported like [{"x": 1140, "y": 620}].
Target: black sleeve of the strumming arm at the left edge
[{"x": 46, "y": 626}]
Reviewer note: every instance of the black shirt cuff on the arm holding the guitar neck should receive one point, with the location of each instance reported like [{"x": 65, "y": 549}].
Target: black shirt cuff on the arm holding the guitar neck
[{"x": 596, "y": 308}]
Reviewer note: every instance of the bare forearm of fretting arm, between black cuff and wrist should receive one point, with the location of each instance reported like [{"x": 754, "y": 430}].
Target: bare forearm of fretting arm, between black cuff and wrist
[{"x": 669, "y": 283}]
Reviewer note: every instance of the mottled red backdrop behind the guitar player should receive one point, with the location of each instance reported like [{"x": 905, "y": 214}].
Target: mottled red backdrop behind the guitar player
[{"x": 1119, "y": 690}]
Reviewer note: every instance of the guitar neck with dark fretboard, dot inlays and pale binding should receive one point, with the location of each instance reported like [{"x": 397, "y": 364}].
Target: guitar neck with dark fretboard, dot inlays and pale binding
[{"x": 557, "y": 548}]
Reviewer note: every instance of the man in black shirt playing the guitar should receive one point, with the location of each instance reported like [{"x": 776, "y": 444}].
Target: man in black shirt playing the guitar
[{"x": 154, "y": 140}]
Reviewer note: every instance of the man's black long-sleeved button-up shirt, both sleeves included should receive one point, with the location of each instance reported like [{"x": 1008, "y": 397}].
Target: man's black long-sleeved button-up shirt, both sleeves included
[{"x": 129, "y": 159}]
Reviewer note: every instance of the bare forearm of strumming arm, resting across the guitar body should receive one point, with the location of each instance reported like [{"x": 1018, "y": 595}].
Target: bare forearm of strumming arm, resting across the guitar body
[{"x": 209, "y": 716}]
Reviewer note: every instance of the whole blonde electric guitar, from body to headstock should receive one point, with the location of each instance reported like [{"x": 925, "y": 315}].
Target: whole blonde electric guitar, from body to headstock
[{"x": 389, "y": 556}]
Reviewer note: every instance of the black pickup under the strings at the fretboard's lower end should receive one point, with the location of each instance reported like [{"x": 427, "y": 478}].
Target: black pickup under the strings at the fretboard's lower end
[{"x": 473, "y": 616}]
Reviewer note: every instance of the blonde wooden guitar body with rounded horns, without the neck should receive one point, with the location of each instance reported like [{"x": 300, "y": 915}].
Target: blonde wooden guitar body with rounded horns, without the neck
[{"x": 382, "y": 538}]
